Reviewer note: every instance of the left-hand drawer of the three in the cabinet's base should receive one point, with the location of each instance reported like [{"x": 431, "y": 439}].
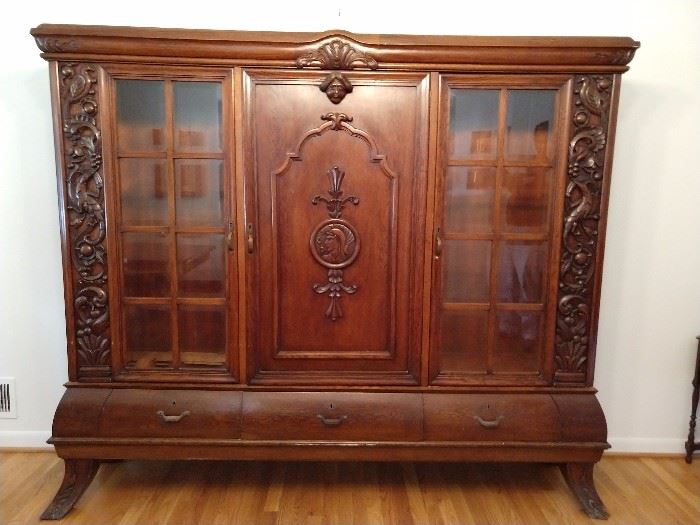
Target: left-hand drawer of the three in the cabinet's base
[{"x": 172, "y": 413}]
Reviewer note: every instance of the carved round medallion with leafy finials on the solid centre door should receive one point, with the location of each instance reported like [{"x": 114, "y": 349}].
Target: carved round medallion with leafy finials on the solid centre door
[{"x": 335, "y": 243}]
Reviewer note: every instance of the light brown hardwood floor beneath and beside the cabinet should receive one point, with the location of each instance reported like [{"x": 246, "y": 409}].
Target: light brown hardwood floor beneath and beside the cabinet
[{"x": 635, "y": 490}]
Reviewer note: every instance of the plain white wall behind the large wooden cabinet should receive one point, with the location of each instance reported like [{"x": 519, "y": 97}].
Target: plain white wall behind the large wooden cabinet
[{"x": 650, "y": 311}]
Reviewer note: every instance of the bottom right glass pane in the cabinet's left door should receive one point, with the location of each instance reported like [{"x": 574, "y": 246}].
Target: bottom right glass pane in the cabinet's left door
[{"x": 202, "y": 333}]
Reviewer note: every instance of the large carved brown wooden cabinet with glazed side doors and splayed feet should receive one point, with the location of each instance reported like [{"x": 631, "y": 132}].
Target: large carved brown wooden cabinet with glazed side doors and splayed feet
[{"x": 331, "y": 246}]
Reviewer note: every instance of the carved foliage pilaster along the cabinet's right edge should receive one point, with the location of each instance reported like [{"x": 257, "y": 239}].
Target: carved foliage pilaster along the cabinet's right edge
[{"x": 580, "y": 234}]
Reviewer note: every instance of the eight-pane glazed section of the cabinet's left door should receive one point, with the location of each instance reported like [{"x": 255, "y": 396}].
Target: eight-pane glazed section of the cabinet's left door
[{"x": 175, "y": 226}]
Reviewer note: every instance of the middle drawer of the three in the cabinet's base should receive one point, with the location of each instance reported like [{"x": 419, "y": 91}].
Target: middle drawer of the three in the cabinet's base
[{"x": 332, "y": 416}]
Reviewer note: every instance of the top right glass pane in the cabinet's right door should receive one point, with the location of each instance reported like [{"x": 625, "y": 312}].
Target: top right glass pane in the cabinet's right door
[{"x": 529, "y": 124}]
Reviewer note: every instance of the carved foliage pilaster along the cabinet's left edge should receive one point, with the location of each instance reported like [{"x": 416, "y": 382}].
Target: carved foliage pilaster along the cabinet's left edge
[{"x": 85, "y": 216}]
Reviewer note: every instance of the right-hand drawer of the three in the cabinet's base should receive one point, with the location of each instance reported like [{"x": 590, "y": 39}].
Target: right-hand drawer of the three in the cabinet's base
[{"x": 486, "y": 417}]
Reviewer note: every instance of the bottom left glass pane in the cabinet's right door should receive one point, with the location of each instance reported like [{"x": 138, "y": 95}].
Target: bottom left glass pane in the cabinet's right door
[{"x": 463, "y": 340}]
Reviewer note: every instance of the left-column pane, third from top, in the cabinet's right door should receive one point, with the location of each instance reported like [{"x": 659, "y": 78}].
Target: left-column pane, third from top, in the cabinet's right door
[{"x": 466, "y": 270}]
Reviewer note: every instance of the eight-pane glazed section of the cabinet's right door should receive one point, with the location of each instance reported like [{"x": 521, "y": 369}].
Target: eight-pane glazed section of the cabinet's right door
[{"x": 494, "y": 231}]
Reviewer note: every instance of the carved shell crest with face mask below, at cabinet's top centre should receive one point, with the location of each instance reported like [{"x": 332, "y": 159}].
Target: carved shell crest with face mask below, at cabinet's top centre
[{"x": 336, "y": 54}]
